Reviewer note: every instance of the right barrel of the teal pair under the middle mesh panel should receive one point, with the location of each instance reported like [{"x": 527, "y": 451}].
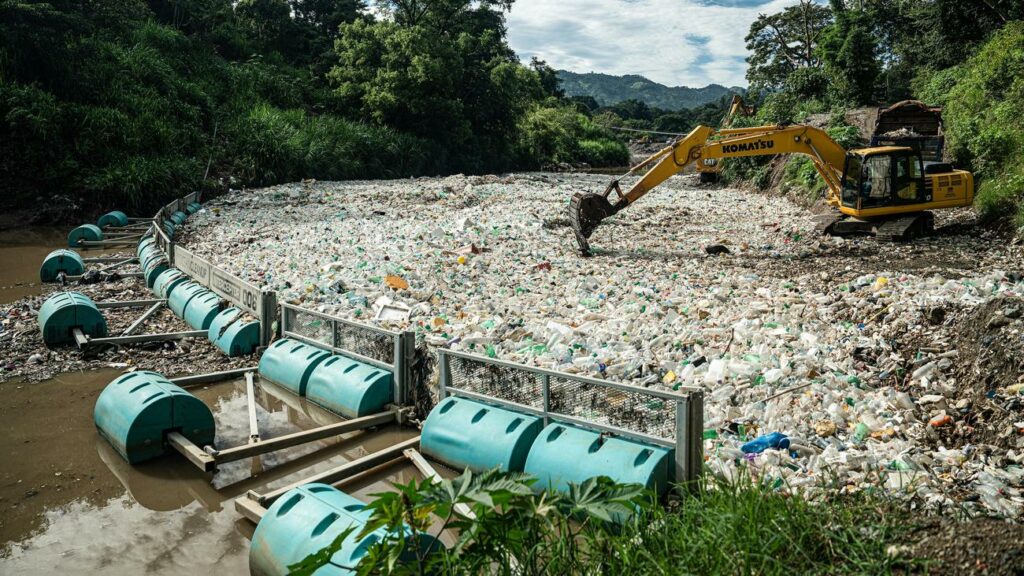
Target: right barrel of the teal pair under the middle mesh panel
[{"x": 351, "y": 388}]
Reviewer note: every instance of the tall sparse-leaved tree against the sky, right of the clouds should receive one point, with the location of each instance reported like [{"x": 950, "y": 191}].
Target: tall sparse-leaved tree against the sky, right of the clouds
[{"x": 784, "y": 43}]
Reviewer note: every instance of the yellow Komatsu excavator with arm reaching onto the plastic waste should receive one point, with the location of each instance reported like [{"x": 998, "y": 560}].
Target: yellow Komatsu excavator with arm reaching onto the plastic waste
[{"x": 886, "y": 191}]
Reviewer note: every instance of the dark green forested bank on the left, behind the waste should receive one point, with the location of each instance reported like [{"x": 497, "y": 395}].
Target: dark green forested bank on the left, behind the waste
[{"x": 127, "y": 104}]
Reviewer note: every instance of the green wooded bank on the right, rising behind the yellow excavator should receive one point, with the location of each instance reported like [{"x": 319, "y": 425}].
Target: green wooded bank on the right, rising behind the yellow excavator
[{"x": 965, "y": 56}]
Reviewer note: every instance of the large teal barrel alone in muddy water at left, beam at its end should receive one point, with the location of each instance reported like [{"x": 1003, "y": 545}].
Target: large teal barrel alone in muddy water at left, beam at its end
[{"x": 137, "y": 412}]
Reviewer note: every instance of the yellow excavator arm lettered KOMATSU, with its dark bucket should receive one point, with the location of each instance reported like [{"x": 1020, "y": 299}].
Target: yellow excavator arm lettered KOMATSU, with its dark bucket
[{"x": 587, "y": 211}]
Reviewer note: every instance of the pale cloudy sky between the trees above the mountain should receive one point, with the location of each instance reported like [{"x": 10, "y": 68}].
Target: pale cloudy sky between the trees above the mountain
[{"x": 675, "y": 43}]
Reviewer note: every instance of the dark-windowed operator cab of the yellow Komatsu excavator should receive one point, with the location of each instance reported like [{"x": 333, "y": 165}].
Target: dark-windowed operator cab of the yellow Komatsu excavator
[{"x": 883, "y": 178}]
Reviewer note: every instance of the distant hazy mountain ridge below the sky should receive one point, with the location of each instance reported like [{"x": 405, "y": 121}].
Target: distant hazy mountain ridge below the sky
[{"x": 608, "y": 90}]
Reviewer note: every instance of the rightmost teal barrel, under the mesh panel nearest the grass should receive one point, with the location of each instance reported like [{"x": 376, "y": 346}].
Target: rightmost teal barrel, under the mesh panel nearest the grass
[{"x": 565, "y": 455}]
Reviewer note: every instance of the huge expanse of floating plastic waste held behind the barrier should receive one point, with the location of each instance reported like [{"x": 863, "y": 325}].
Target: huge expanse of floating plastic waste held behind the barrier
[{"x": 829, "y": 364}]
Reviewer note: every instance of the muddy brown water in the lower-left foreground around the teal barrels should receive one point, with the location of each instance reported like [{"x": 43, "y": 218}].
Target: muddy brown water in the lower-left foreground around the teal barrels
[{"x": 69, "y": 504}]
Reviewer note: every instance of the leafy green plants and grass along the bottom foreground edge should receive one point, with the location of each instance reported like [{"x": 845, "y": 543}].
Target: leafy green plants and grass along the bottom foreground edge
[{"x": 506, "y": 527}]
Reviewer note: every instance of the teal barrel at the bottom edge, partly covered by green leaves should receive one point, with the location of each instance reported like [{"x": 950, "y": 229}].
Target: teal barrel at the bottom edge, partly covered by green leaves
[{"x": 308, "y": 520}]
